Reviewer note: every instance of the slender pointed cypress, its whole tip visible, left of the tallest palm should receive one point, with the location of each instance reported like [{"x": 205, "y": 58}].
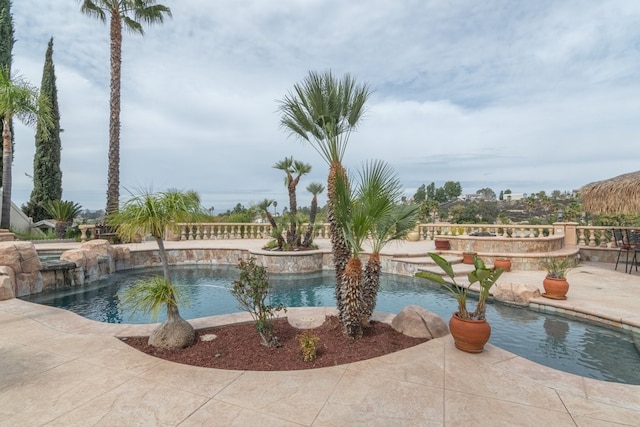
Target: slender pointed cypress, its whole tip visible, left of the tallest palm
[{"x": 47, "y": 176}]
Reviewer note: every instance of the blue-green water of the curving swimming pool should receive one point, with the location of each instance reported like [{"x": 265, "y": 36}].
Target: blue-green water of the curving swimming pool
[{"x": 582, "y": 348}]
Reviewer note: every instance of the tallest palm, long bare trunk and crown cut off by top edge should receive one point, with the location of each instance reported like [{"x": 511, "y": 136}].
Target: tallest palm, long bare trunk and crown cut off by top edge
[{"x": 130, "y": 14}]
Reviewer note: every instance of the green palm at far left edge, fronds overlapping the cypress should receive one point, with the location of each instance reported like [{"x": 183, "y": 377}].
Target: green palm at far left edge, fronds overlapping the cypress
[{"x": 18, "y": 99}]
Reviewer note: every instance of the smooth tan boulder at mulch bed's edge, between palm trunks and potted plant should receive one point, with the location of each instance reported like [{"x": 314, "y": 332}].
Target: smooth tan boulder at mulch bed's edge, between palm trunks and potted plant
[{"x": 419, "y": 322}]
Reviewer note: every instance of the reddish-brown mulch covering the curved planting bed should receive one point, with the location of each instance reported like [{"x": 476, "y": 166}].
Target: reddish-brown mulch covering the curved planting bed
[{"x": 238, "y": 347}]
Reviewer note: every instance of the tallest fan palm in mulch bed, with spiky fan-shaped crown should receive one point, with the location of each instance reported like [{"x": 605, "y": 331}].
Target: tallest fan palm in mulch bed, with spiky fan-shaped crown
[{"x": 323, "y": 111}]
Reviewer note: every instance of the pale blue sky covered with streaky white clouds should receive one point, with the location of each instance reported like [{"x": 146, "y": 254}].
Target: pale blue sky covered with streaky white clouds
[{"x": 520, "y": 95}]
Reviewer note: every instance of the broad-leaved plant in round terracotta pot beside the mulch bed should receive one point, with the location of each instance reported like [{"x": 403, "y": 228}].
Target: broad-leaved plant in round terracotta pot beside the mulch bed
[{"x": 469, "y": 329}]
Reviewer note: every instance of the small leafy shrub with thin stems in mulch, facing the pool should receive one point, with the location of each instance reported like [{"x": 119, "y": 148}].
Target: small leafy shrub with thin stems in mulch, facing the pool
[{"x": 252, "y": 292}]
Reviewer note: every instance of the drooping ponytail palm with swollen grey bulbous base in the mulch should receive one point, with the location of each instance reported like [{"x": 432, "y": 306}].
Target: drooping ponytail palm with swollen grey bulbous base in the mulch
[{"x": 153, "y": 214}]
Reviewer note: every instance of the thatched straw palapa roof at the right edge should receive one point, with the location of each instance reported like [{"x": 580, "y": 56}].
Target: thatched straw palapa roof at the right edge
[{"x": 619, "y": 195}]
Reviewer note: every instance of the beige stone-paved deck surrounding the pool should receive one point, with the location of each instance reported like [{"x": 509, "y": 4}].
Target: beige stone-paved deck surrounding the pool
[{"x": 57, "y": 368}]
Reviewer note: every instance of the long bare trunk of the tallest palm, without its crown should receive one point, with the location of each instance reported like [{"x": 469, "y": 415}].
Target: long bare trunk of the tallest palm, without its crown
[{"x": 113, "y": 180}]
